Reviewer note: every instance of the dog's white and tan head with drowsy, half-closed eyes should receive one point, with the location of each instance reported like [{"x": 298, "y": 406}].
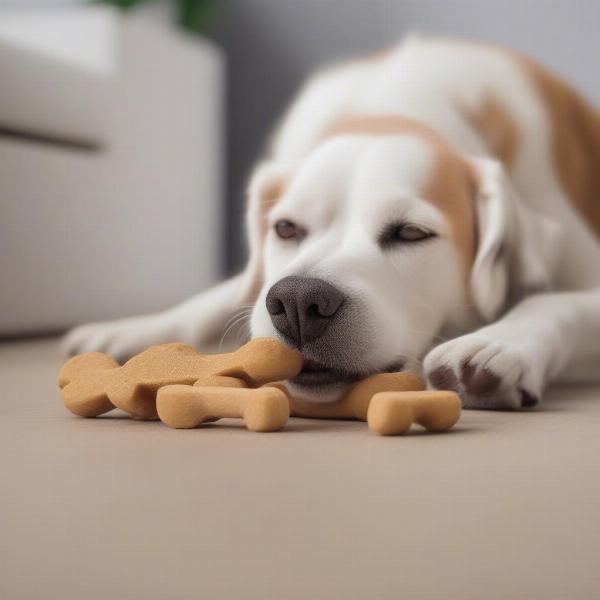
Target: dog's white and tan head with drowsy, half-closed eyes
[{"x": 381, "y": 241}]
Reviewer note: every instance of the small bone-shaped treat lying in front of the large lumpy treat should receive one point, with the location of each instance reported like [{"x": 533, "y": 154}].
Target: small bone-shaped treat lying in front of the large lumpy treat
[{"x": 185, "y": 406}]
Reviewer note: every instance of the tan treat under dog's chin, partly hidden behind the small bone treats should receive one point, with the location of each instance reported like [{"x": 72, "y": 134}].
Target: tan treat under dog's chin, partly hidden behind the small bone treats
[{"x": 355, "y": 403}]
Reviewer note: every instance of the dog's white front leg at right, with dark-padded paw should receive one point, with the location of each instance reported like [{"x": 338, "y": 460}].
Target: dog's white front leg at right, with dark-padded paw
[{"x": 507, "y": 364}]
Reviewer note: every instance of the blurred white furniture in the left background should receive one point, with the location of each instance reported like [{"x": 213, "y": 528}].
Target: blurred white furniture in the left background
[{"x": 110, "y": 156}]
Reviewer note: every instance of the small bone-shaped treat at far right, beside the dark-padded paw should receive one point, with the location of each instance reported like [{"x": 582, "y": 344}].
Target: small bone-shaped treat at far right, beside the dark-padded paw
[{"x": 392, "y": 413}]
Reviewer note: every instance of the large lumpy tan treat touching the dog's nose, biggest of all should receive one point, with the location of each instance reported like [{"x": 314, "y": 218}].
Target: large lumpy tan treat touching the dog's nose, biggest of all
[{"x": 94, "y": 383}]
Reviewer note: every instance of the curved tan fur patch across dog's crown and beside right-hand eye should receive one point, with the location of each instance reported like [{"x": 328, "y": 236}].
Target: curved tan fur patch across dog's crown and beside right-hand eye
[{"x": 452, "y": 185}]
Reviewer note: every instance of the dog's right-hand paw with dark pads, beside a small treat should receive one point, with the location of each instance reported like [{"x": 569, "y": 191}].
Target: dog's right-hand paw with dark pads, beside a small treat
[{"x": 487, "y": 374}]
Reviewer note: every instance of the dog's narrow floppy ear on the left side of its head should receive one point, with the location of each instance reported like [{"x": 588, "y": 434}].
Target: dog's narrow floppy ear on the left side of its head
[{"x": 267, "y": 185}]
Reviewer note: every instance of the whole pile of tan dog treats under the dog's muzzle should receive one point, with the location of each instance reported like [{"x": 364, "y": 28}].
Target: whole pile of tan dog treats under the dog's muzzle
[{"x": 184, "y": 388}]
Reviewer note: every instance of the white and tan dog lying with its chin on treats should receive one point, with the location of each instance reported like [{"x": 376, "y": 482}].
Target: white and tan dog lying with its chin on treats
[{"x": 437, "y": 205}]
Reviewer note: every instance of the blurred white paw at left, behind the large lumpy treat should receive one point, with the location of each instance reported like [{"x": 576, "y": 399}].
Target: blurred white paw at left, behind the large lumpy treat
[{"x": 121, "y": 339}]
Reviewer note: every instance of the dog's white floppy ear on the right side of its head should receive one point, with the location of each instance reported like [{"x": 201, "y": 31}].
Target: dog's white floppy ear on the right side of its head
[{"x": 517, "y": 247}]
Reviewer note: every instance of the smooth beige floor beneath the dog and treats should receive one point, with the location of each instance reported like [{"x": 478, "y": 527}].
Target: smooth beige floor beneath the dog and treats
[{"x": 507, "y": 506}]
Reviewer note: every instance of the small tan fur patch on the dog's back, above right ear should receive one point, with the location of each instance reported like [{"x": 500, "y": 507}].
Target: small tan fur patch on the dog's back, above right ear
[{"x": 497, "y": 127}]
